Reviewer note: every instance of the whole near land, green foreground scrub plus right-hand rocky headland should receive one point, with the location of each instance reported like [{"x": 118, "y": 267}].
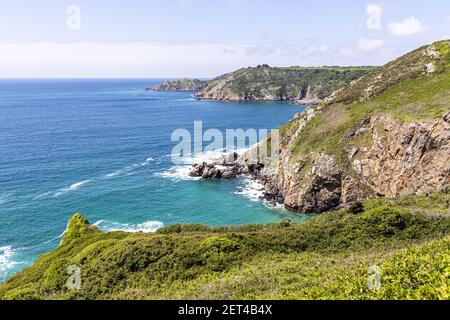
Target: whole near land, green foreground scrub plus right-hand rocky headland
[{"x": 374, "y": 156}]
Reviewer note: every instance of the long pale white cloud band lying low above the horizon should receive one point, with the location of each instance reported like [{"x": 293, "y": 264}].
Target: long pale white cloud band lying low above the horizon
[{"x": 165, "y": 60}]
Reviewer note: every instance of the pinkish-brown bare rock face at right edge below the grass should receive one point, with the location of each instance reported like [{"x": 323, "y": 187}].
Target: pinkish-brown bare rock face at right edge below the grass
[{"x": 417, "y": 162}]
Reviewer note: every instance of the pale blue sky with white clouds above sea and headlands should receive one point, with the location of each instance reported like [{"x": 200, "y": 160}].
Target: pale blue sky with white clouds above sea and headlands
[{"x": 206, "y": 38}]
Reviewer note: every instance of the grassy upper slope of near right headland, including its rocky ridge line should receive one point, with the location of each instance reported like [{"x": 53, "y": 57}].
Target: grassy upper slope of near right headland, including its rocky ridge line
[{"x": 404, "y": 93}]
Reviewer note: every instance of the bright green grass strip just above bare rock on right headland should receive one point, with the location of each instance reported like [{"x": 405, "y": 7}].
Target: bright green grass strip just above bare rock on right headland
[{"x": 411, "y": 100}]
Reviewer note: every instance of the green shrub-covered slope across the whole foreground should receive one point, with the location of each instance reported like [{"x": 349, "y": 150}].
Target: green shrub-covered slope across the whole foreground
[{"x": 325, "y": 258}]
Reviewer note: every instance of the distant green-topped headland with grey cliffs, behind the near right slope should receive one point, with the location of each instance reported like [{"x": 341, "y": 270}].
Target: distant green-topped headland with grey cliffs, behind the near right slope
[{"x": 307, "y": 85}]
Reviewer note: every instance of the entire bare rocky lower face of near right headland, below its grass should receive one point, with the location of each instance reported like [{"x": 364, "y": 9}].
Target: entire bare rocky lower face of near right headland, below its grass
[{"x": 398, "y": 159}]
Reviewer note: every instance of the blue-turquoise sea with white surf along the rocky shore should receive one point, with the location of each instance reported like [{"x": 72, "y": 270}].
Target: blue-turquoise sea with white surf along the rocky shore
[{"x": 101, "y": 147}]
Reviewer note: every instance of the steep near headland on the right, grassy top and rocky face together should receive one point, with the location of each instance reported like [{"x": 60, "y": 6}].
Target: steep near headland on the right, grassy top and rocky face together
[{"x": 385, "y": 135}]
